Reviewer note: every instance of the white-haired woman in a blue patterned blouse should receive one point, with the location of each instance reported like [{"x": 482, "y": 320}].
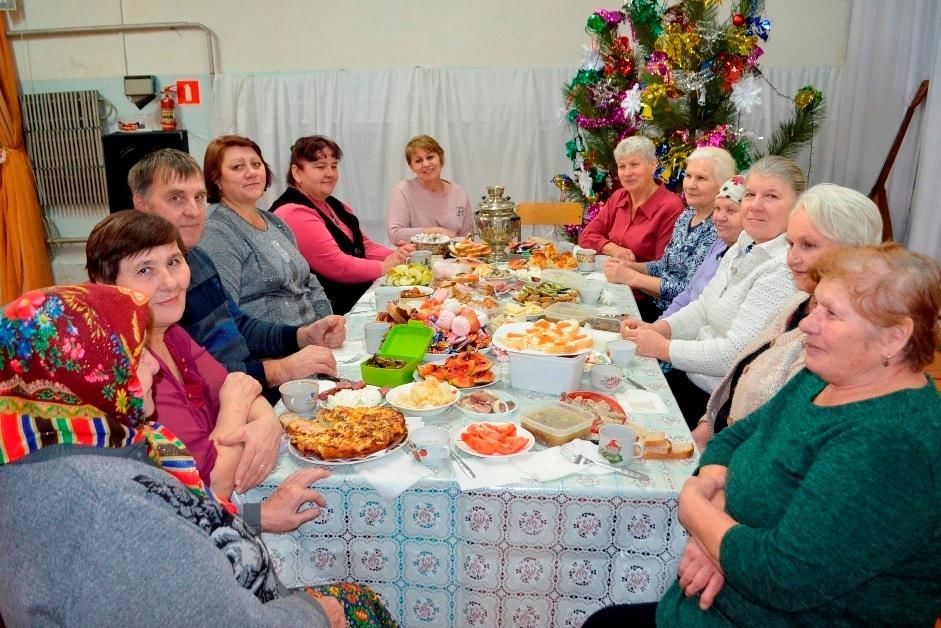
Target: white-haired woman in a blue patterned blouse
[{"x": 693, "y": 235}]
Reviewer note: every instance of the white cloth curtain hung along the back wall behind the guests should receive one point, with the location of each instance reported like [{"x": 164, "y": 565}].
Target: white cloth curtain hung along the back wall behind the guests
[{"x": 497, "y": 126}]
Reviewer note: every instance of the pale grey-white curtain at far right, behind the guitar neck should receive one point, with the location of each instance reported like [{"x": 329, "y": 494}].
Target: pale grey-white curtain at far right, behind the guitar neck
[{"x": 893, "y": 46}]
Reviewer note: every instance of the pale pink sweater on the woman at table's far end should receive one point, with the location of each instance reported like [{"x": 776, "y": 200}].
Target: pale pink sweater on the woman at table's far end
[{"x": 414, "y": 207}]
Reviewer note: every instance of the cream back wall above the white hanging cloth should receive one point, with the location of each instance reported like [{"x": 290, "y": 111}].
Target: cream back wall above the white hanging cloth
[{"x": 278, "y": 36}]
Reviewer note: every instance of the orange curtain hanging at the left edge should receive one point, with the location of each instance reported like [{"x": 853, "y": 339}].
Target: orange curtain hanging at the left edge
[{"x": 24, "y": 263}]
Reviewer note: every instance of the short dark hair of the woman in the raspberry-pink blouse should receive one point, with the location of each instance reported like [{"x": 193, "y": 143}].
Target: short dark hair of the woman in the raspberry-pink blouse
[{"x": 121, "y": 235}]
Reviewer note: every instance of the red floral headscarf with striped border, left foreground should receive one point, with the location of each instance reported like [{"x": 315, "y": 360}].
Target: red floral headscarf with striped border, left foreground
[{"x": 68, "y": 376}]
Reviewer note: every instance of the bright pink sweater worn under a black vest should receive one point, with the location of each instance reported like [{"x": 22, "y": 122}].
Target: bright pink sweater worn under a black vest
[{"x": 321, "y": 251}]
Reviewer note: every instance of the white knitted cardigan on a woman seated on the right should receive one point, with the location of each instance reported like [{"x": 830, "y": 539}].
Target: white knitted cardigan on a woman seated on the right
[{"x": 746, "y": 293}]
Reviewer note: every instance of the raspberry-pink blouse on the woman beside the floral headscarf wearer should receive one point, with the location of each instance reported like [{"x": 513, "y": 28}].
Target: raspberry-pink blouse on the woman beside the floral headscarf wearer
[{"x": 190, "y": 408}]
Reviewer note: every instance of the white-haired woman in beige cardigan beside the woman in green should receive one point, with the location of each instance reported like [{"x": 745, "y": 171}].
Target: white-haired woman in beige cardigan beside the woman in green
[{"x": 826, "y": 216}]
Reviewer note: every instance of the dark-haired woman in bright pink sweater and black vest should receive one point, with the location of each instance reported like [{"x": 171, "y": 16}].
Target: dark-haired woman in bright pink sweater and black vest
[{"x": 328, "y": 234}]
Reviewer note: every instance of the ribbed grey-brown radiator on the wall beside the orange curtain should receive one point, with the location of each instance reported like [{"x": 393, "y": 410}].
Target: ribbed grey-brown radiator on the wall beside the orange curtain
[{"x": 63, "y": 140}]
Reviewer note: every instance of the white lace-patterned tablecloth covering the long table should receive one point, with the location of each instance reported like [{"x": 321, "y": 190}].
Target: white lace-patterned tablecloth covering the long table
[{"x": 534, "y": 554}]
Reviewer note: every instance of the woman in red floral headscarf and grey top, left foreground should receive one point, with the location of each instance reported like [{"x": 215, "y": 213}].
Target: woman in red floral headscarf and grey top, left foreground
[{"x": 112, "y": 526}]
